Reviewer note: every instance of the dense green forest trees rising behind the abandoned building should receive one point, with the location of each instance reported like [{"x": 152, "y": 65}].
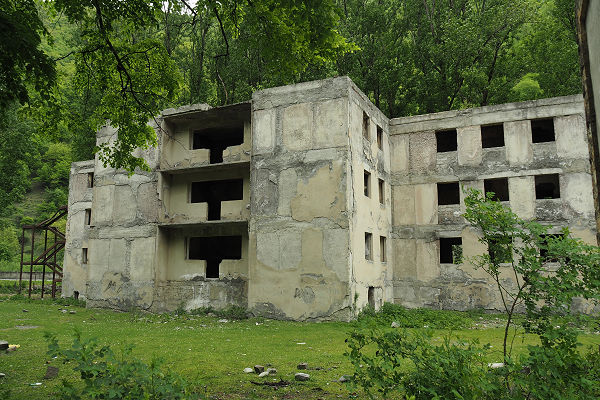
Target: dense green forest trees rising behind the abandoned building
[{"x": 68, "y": 66}]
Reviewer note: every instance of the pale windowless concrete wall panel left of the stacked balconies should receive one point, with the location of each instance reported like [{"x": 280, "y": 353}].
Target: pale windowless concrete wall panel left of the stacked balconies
[{"x": 121, "y": 240}]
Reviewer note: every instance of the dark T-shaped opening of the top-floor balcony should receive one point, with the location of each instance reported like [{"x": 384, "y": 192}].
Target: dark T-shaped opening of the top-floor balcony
[{"x": 216, "y": 140}]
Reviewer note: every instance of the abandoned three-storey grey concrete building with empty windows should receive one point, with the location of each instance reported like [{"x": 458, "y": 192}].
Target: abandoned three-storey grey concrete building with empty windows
[{"x": 308, "y": 203}]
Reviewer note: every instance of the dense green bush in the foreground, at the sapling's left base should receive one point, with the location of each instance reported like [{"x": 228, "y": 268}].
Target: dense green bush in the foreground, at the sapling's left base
[{"x": 394, "y": 360}]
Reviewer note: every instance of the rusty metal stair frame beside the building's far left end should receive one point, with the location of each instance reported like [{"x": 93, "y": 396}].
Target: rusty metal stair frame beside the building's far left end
[{"x": 48, "y": 257}]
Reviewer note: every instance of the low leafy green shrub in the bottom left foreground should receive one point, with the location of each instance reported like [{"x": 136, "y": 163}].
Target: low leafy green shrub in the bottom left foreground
[{"x": 106, "y": 375}]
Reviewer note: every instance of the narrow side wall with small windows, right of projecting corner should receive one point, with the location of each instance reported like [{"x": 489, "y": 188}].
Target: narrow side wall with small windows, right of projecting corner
[{"x": 367, "y": 214}]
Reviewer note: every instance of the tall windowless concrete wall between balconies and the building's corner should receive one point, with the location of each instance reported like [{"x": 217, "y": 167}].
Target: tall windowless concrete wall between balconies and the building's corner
[{"x": 299, "y": 241}]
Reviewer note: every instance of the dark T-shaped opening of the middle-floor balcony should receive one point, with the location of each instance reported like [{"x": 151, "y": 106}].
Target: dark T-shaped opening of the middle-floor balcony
[{"x": 214, "y": 192}]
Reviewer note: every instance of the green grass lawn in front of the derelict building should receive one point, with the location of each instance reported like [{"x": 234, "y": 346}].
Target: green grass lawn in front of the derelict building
[{"x": 209, "y": 353}]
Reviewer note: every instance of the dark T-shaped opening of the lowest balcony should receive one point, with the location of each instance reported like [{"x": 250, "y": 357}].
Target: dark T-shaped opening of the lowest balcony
[{"x": 214, "y": 249}]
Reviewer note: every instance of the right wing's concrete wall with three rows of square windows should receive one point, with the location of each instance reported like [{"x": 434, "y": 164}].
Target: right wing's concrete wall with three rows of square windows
[{"x": 419, "y": 222}]
